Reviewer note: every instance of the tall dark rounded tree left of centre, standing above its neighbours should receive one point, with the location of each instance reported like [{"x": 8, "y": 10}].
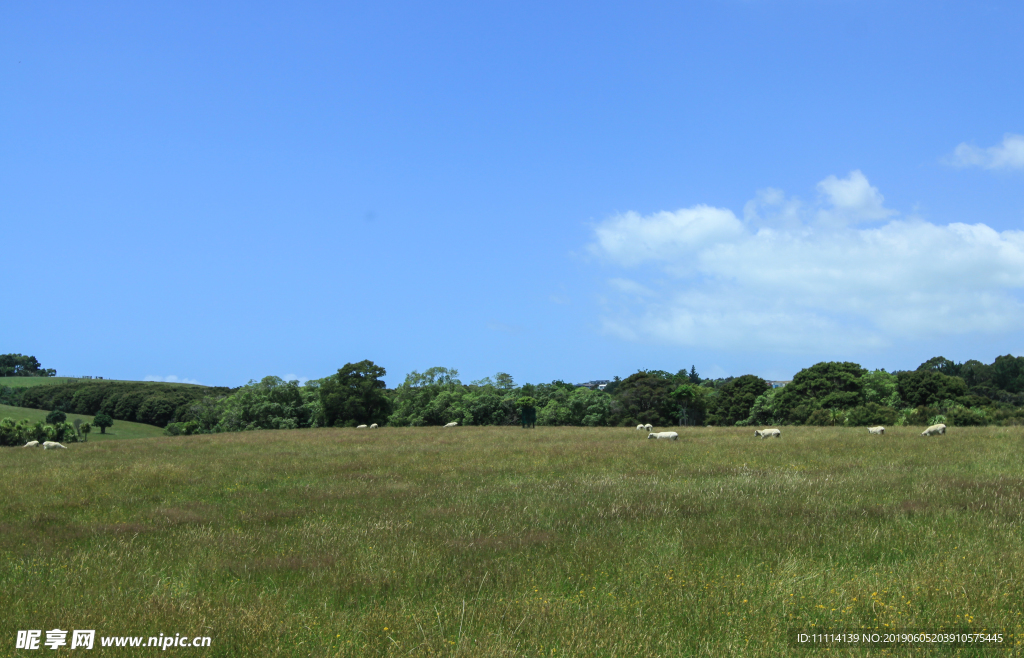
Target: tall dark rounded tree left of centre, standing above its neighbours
[{"x": 356, "y": 396}]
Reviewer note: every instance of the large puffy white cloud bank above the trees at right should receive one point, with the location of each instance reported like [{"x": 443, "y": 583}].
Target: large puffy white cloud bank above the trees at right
[{"x": 809, "y": 285}]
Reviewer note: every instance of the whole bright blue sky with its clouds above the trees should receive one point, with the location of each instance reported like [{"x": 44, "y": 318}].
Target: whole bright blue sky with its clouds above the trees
[{"x": 221, "y": 192}]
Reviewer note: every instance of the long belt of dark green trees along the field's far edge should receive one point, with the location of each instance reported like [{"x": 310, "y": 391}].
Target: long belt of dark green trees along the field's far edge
[{"x": 827, "y": 393}]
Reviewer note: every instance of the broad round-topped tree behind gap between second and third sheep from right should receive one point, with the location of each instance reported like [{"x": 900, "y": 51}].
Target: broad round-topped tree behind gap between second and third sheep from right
[{"x": 831, "y": 385}]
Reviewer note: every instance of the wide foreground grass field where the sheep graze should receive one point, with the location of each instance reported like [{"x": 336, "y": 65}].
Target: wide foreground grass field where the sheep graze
[{"x": 502, "y": 542}]
